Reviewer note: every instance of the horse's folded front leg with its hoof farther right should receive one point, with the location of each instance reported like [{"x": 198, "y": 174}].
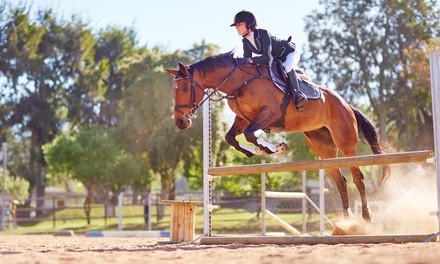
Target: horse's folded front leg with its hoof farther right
[{"x": 263, "y": 120}]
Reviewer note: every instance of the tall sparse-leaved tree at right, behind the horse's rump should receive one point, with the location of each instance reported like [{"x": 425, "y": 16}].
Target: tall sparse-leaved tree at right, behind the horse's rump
[{"x": 358, "y": 47}]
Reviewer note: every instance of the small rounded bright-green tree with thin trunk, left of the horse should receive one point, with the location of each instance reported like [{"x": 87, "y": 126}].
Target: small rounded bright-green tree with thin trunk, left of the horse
[{"x": 96, "y": 159}]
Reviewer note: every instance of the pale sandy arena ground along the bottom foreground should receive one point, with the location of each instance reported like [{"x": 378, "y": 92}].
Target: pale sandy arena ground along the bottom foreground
[{"x": 80, "y": 249}]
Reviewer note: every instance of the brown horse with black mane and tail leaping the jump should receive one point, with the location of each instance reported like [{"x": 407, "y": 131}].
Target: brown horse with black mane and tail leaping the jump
[{"x": 329, "y": 123}]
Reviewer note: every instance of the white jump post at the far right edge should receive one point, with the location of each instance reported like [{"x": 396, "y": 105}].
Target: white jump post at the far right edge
[{"x": 434, "y": 60}]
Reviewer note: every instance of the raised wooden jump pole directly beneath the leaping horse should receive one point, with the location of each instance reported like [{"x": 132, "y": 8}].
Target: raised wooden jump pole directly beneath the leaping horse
[{"x": 344, "y": 162}]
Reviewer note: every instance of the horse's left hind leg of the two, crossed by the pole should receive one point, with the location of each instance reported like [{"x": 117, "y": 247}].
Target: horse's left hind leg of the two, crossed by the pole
[{"x": 320, "y": 141}]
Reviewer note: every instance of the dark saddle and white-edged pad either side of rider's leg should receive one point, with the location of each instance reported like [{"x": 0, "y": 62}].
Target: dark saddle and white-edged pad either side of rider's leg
[{"x": 279, "y": 78}]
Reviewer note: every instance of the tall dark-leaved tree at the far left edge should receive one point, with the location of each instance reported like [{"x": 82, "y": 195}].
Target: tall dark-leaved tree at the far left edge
[{"x": 42, "y": 60}]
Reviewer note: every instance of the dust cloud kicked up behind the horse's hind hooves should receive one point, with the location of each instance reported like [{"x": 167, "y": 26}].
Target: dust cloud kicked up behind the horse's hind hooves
[{"x": 408, "y": 201}]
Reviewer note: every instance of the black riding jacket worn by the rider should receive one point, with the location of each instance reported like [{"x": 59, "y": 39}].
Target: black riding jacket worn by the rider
[{"x": 268, "y": 47}]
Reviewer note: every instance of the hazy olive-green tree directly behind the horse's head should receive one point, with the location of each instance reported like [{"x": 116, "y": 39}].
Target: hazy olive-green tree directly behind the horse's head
[{"x": 146, "y": 112}]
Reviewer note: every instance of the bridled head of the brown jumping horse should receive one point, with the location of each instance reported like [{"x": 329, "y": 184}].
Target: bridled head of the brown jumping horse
[{"x": 186, "y": 96}]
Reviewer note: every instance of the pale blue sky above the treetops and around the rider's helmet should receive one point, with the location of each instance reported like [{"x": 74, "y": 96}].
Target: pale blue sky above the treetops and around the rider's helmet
[{"x": 178, "y": 24}]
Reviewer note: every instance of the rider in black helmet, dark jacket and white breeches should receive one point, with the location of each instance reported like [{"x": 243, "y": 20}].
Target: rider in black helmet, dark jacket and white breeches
[{"x": 261, "y": 42}]
